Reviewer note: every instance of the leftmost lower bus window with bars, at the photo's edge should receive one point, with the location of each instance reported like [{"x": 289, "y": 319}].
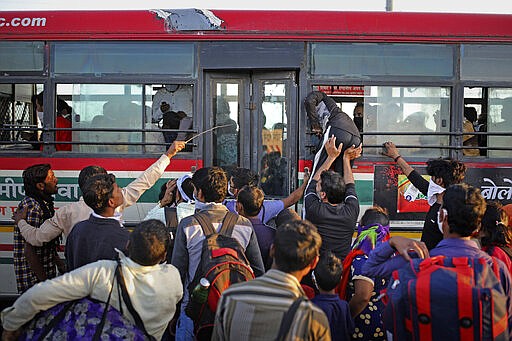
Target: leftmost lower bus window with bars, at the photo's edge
[{"x": 18, "y": 117}]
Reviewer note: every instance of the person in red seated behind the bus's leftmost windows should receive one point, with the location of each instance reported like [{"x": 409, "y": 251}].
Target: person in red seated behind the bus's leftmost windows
[{"x": 62, "y": 120}]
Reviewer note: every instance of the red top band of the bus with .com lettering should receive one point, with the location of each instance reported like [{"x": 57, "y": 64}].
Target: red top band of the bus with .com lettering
[{"x": 194, "y": 24}]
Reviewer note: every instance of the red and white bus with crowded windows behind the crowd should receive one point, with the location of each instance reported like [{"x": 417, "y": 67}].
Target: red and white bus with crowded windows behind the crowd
[{"x": 411, "y": 74}]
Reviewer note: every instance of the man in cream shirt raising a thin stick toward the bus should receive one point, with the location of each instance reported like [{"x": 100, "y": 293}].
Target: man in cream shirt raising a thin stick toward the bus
[{"x": 67, "y": 216}]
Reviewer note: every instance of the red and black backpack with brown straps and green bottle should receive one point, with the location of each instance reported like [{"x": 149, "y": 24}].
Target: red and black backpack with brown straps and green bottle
[{"x": 223, "y": 263}]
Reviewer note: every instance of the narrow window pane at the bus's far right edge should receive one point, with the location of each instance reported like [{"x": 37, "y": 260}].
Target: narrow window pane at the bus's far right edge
[{"x": 499, "y": 120}]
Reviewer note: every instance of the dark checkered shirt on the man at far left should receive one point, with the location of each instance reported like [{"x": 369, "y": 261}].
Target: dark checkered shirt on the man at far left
[{"x": 25, "y": 277}]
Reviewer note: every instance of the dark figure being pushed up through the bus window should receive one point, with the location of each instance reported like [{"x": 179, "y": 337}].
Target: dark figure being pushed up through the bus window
[{"x": 327, "y": 119}]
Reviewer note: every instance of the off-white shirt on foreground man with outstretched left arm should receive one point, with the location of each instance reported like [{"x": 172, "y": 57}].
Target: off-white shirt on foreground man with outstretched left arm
[{"x": 154, "y": 292}]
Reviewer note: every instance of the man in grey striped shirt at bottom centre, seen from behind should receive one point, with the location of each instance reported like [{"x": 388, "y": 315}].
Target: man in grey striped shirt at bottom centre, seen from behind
[{"x": 254, "y": 310}]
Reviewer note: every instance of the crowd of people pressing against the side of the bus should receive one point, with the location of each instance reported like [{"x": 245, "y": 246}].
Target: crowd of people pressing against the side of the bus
[{"x": 268, "y": 273}]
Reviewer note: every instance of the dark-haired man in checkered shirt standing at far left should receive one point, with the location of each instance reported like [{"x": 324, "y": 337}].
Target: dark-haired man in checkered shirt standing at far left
[{"x": 35, "y": 264}]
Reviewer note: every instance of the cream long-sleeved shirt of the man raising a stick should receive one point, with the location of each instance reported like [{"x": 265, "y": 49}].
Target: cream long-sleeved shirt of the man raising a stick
[{"x": 69, "y": 215}]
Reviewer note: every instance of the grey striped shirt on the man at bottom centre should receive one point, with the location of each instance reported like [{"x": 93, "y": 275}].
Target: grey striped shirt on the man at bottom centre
[{"x": 254, "y": 310}]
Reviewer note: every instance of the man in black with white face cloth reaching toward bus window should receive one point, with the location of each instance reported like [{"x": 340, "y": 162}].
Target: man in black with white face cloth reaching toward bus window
[{"x": 443, "y": 172}]
